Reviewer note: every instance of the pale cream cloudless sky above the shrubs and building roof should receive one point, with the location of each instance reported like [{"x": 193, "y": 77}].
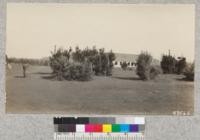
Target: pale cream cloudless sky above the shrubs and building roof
[{"x": 34, "y": 29}]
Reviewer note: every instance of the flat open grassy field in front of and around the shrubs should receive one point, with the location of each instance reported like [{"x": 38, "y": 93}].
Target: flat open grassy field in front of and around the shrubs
[{"x": 123, "y": 93}]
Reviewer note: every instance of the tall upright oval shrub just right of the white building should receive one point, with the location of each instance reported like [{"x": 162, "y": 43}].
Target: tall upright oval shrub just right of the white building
[{"x": 144, "y": 65}]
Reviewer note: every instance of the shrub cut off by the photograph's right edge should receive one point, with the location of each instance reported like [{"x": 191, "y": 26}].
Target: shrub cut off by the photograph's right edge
[{"x": 189, "y": 72}]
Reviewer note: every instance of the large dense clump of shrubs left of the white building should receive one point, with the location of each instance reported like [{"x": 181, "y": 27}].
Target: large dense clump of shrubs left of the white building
[{"x": 81, "y": 64}]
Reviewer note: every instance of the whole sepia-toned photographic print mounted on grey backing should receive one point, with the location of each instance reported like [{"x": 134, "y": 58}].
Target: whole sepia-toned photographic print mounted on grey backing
[{"x": 125, "y": 59}]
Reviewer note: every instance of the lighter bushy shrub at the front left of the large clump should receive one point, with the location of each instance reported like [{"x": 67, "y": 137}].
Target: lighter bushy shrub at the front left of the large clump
[{"x": 64, "y": 69}]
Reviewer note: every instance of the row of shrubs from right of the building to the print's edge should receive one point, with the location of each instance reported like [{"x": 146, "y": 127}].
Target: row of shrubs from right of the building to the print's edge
[{"x": 169, "y": 65}]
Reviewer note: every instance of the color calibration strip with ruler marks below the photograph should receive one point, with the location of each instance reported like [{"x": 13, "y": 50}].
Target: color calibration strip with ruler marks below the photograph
[{"x": 99, "y": 128}]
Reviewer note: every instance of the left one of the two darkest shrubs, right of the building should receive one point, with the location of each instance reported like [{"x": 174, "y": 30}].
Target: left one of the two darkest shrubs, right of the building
[{"x": 168, "y": 64}]
